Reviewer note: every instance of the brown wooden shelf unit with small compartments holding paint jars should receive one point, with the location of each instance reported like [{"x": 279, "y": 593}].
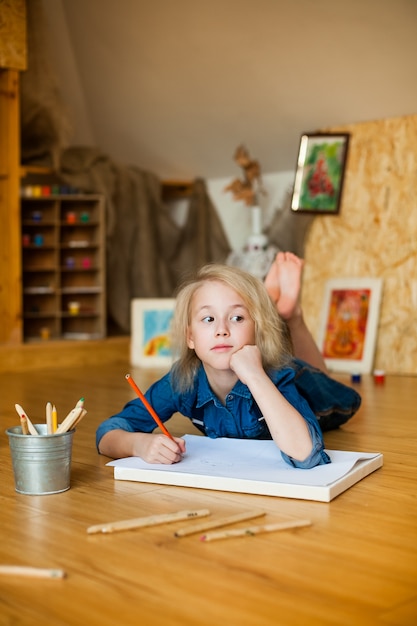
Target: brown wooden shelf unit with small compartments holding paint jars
[{"x": 63, "y": 267}]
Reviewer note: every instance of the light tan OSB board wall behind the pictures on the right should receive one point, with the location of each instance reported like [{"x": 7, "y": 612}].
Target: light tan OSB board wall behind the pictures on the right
[{"x": 375, "y": 235}]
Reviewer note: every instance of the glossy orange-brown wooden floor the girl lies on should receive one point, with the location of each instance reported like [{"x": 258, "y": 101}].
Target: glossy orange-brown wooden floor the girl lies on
[{"x": 356, "y": 564}]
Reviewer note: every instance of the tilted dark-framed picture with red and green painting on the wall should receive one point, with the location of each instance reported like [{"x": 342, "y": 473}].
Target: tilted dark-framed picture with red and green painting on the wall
[{"x": 320, "y": 173}]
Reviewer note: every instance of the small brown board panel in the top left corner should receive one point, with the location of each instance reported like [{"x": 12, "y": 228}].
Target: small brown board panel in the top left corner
[{"x": 13, "y": 50}]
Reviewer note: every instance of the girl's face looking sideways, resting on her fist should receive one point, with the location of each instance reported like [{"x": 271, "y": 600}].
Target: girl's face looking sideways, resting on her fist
[{"x": 220, "y": 324}]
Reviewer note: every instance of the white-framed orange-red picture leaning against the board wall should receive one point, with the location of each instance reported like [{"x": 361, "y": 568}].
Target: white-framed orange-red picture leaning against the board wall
[{"x": 349, "y": 324}]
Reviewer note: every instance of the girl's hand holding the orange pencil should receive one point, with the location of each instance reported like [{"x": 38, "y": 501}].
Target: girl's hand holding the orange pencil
[{"x": 158, "y": 448}]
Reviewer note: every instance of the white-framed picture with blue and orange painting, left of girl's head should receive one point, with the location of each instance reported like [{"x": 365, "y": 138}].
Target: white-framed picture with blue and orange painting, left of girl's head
[{"x": 150, "y": 344}]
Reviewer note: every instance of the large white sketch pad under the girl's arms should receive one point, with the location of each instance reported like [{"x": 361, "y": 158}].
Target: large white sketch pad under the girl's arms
[{"x": 251, "y": 466}]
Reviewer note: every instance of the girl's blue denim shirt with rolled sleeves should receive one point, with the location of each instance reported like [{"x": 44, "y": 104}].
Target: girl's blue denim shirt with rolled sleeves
[{"x": 239, "y": 417}]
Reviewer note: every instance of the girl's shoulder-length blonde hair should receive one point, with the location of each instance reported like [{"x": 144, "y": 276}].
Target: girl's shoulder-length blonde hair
[{"x": 271, "y": 333}]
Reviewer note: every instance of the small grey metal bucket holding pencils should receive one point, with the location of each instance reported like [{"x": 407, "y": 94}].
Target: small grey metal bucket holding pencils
[{"x": 41, "y": 464}]
